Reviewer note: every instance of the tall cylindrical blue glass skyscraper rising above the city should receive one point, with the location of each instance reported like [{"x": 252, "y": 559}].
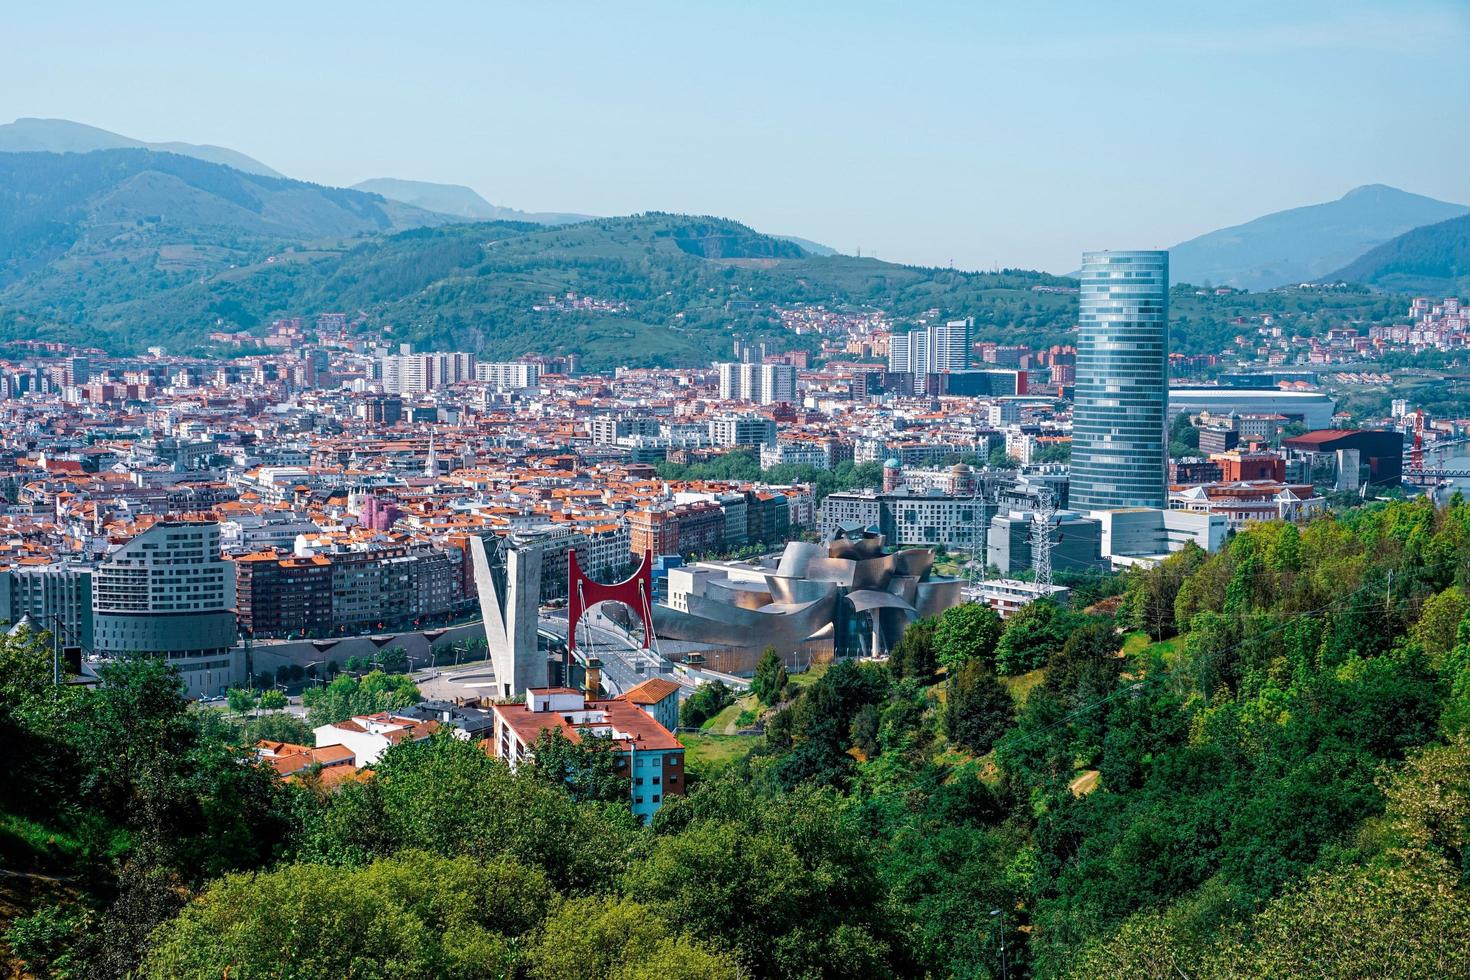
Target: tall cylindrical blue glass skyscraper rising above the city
[{"x": 1119, "y": 418}]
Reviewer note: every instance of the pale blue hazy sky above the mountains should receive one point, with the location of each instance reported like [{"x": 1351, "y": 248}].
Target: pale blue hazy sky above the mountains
[{"x": 974, "y": 134}]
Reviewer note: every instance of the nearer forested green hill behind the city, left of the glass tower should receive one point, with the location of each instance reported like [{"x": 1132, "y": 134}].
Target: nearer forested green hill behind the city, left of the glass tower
[{"x": 668, "y": 290}]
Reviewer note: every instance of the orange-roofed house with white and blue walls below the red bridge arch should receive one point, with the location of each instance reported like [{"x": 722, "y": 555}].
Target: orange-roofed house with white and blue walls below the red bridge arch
[{"x": 648, "y": 752}]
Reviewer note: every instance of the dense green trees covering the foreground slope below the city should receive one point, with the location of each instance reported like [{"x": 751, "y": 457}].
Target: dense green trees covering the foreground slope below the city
[{"x": 1272, "y": 781}]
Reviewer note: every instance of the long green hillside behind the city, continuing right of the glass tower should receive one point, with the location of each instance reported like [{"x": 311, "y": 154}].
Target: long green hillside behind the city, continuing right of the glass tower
[{"x": 133, "y": 249}]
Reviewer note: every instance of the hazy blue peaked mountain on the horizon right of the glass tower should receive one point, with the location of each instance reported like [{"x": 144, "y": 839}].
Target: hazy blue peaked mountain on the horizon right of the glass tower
[{"x": 1305, "y": 245}]
